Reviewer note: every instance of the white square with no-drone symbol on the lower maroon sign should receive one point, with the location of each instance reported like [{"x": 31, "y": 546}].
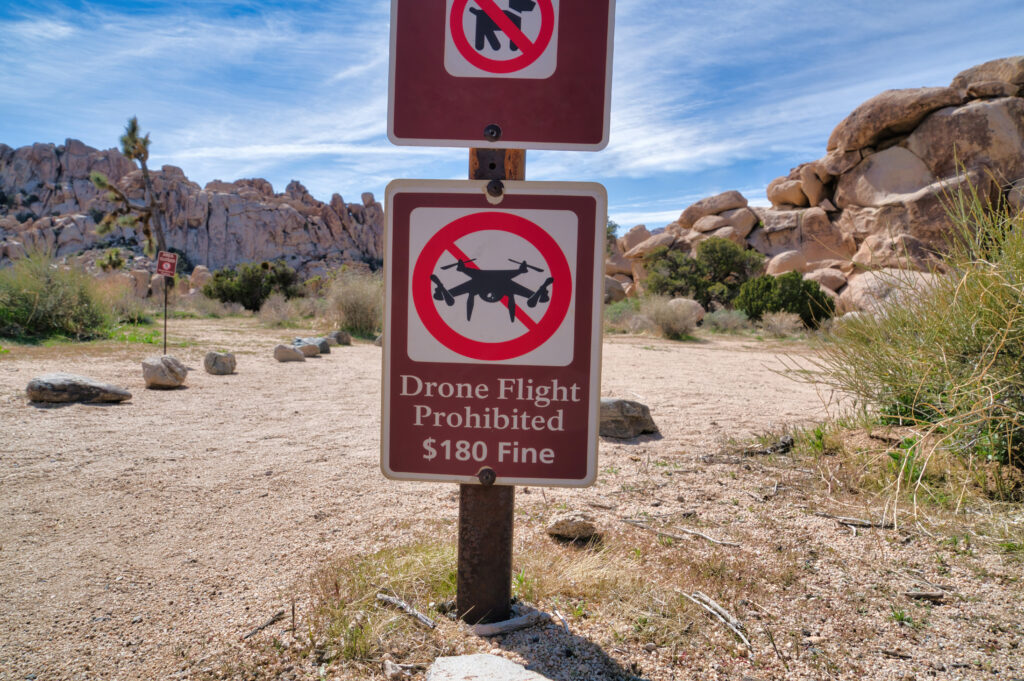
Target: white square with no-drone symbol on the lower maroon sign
[{"x": 498, "y": 279}]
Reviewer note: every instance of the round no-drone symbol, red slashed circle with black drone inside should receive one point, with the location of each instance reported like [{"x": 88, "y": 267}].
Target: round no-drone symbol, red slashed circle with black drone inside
[{"x": 428, "y": 290}]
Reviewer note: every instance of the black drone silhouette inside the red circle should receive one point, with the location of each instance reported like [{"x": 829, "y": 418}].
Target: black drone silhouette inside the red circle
[{"x": 492, "y": 286}]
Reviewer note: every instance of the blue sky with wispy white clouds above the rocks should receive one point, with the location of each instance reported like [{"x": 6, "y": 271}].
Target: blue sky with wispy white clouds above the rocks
[{"x": 708, "y": 96}]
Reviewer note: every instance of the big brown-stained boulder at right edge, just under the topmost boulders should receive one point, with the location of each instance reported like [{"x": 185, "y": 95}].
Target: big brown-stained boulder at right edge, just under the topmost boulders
[{"x": 986, "y": 134}]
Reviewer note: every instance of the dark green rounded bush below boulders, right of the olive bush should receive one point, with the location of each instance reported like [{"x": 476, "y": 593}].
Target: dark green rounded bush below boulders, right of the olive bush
[{"x": 786, "y": 293}]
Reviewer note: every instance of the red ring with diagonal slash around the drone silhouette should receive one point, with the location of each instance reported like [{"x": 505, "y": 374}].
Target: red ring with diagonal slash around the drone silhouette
[{"x": 538, "y": 333}]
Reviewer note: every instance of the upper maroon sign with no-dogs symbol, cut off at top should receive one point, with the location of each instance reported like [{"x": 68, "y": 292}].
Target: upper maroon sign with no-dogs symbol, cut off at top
[{"x": 513, "y": 74}]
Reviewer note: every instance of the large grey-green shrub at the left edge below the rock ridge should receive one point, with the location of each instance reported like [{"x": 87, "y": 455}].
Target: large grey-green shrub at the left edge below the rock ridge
[{"x": 39, "y": 300}]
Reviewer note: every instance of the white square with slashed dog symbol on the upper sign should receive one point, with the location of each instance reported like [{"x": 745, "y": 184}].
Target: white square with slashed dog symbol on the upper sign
[{"x": 501, "y": 38}]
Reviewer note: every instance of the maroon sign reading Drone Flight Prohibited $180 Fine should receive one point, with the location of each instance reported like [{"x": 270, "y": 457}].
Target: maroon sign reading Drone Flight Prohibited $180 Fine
[{"x": 493, "y": 332}]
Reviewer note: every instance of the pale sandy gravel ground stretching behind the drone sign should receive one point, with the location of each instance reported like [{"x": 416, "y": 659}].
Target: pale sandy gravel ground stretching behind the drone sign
[{"x": 136, "y": 538}]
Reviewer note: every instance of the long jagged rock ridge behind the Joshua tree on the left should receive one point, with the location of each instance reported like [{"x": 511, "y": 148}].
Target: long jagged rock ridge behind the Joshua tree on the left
[{"x": 48, "y": 202}]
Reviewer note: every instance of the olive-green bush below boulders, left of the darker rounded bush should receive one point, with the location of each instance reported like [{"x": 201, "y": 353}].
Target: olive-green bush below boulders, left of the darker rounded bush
[{"x": 716, "y": 275}]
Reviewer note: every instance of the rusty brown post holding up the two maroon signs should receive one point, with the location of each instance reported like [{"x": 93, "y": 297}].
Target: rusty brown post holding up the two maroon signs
[{"x": 487, "y": 512}]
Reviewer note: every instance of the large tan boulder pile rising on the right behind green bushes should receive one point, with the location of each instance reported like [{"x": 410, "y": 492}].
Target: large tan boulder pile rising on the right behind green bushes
[{"x": 876, "y": 200}]
